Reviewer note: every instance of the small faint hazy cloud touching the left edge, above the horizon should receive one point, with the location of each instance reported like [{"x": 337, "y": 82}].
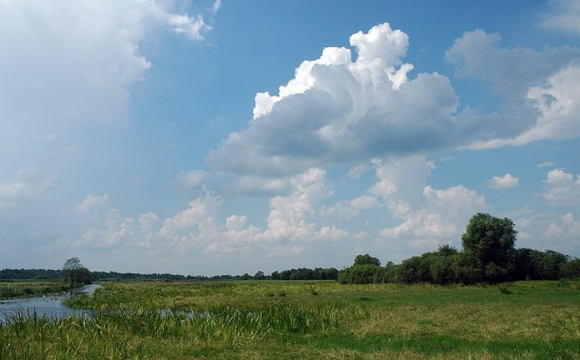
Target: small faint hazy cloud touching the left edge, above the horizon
[{"x": 28, "y": 184}]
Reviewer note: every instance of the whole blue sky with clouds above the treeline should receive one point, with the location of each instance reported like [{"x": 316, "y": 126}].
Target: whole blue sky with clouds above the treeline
[{"x": 235, "y": 136}]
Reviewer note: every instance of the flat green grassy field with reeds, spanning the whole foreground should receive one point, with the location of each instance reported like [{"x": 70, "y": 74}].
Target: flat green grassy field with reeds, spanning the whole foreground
[{"x": 307, "y": 320}]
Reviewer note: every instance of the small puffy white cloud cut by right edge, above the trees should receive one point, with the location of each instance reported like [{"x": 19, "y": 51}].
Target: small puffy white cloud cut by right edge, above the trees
[{"x": 562, "y": 188}]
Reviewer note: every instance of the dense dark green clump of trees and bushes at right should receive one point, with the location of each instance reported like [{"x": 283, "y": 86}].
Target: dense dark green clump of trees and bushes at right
[{"x": 488, "y": 255}]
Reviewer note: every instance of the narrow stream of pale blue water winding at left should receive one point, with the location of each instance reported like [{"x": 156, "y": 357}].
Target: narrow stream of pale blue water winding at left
[{"x": 50, "y": 306}]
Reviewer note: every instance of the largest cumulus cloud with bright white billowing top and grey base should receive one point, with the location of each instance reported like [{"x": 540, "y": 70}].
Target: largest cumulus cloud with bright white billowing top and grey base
[{"x": 336, "y": 110}]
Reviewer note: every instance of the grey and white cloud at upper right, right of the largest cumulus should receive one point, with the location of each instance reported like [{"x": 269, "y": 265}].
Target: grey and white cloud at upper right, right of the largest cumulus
[{"x": 538, "y": 87}]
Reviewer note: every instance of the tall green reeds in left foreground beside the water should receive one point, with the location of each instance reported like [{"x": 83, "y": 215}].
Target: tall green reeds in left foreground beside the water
[{"x": 124, "y": 333}]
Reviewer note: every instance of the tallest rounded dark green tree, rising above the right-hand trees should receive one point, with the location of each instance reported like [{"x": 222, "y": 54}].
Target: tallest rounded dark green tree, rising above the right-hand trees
[{"x": 488, "y": 244}]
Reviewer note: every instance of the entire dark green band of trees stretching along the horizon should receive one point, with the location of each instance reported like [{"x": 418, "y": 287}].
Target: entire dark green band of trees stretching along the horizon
[{"x": 489, "y": 255}]
